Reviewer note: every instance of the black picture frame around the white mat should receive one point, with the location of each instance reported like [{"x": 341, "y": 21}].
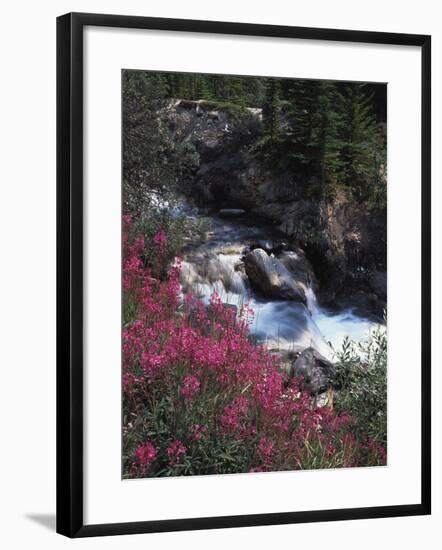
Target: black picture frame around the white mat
[{"x": 70, "y": 273}]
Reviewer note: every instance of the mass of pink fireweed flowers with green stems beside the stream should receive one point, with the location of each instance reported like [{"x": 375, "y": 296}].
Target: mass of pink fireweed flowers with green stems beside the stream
[{"x": 199, "y": 397}]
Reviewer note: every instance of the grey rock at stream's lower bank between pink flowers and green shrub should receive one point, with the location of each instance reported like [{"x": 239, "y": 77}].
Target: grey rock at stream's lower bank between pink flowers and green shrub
[{"x": 318, "y": 373}]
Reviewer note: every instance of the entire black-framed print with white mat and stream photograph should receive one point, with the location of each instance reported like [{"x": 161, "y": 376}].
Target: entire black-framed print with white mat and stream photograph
[{"x": 243, "y": 274}]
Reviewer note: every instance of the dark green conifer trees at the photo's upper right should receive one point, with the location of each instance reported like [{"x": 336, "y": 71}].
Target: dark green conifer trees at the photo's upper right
[{"x": 327, "y": 135}]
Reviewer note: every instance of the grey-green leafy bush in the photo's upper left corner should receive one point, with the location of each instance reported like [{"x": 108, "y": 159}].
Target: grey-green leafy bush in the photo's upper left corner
[{"x": 153, "y": 160}]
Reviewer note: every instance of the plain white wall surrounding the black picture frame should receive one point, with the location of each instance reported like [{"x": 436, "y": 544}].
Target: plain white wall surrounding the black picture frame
[{"x": 27, "y": 299}]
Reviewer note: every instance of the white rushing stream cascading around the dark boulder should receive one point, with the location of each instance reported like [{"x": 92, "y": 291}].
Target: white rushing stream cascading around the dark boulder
[{"x": 214, "y": 265}]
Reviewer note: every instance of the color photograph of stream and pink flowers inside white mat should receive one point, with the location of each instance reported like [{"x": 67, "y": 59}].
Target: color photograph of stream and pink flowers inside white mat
[{"x": 254, "y": 274}]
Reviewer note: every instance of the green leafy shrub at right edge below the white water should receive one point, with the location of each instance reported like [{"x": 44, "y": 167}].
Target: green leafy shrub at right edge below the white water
[{"x": 362, "y": 373}]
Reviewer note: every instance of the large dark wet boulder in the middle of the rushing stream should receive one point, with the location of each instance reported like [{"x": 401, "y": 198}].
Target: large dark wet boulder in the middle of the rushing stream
[{"x": 269, "y": 276}]
